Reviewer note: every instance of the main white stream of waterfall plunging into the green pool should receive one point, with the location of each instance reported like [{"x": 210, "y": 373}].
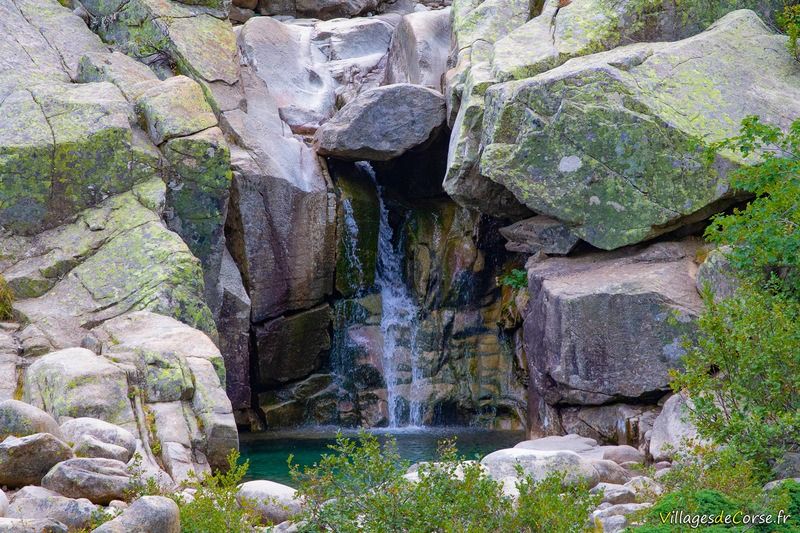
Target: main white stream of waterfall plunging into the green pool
[{"x": 399, "y": 320}]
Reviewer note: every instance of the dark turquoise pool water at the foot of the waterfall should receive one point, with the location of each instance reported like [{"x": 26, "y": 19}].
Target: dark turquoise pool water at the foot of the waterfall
[{"x": 268, "y": 451}]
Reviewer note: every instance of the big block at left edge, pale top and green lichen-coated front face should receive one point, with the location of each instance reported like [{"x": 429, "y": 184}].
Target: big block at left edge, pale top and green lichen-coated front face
[{"x": 64, "y": 148}]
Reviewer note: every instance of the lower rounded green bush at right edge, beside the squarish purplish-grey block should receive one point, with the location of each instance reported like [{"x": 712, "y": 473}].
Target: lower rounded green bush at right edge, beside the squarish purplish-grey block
[{"x": 743, "y": 374}]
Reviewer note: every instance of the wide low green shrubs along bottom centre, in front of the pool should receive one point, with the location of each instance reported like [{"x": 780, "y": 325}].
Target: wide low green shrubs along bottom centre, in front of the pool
[{"x": 361, "y": 488}]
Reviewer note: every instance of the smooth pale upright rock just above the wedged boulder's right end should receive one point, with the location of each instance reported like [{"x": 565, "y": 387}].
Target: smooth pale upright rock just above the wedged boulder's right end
[{"x": 419, "y": 49}]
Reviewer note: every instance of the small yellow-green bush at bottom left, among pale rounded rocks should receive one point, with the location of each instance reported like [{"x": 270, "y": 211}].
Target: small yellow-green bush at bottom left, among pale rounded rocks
[{"x": 214, "y": 506}]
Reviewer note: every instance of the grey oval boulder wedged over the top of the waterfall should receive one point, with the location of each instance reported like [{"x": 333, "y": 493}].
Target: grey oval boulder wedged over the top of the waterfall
[{"x": 383, "y": 123}]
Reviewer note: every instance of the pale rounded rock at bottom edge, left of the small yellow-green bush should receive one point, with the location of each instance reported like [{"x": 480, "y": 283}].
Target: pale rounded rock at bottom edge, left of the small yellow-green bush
[{"x": 148, "y": 513}]
